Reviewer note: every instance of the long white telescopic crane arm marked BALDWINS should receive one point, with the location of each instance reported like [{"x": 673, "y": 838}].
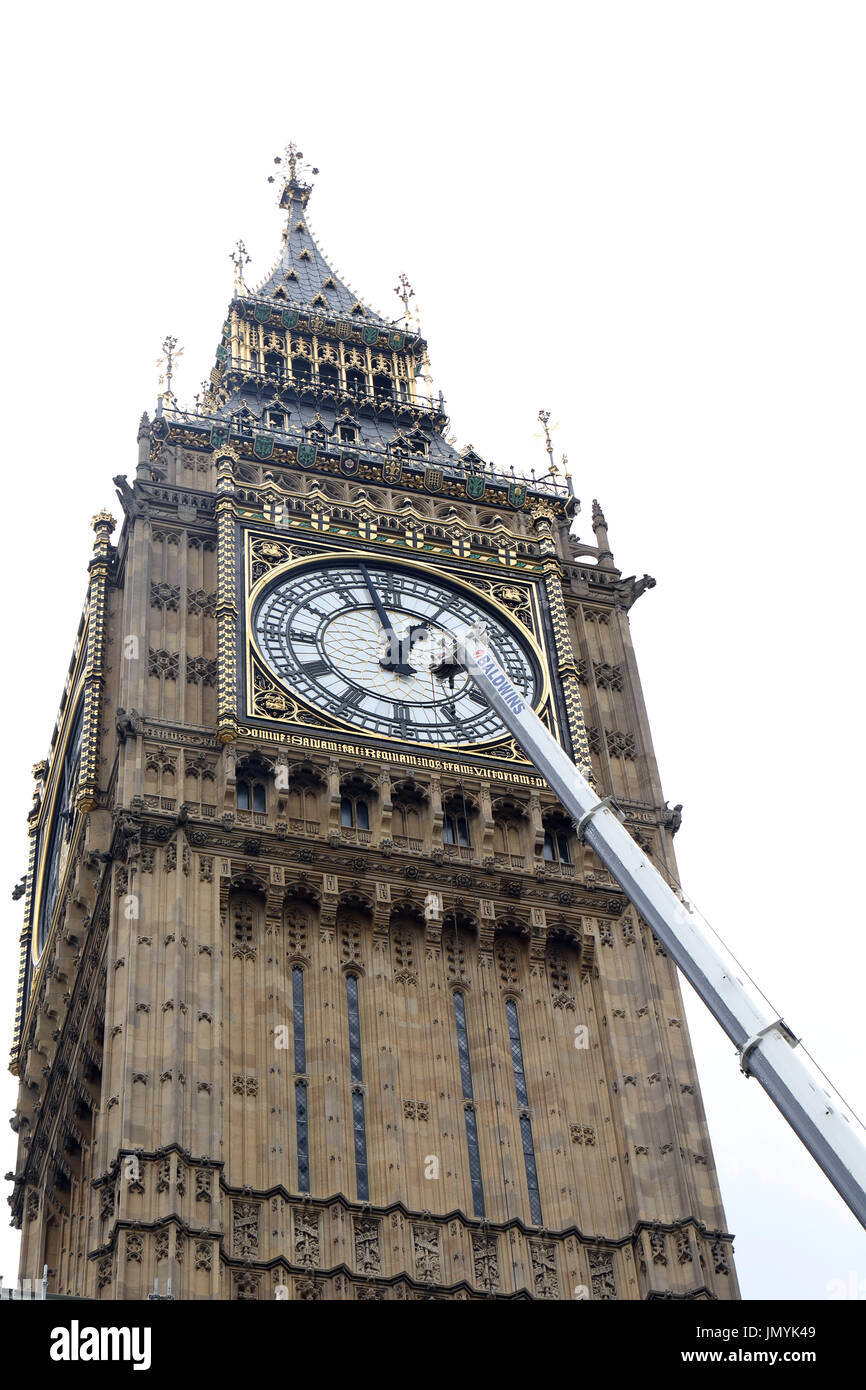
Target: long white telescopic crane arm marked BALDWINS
[{"x": 767, "y": 1047}]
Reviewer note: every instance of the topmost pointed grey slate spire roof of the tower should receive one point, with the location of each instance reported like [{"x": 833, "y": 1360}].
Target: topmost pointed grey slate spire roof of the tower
[{"x": 302, "y": 272}]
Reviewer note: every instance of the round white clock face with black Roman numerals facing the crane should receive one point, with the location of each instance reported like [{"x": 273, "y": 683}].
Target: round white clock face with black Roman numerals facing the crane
[{"x": 329, "y": 635}]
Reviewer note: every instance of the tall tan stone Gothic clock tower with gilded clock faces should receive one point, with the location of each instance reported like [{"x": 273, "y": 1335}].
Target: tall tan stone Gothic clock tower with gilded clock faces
[{"x": 322, "y": 997}]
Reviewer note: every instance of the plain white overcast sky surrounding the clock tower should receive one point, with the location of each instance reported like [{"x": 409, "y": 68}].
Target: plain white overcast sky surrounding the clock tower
[{"x": 648, "y": 219}]
